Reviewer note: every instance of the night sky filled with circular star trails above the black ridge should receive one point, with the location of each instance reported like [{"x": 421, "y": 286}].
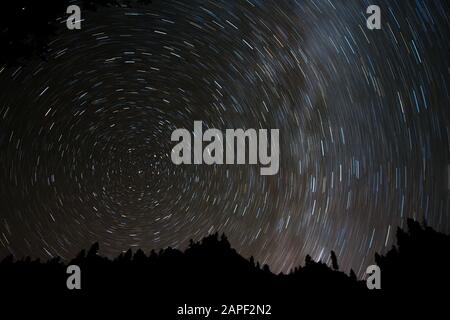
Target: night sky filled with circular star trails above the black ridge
[{"x": 363, "y": 117}]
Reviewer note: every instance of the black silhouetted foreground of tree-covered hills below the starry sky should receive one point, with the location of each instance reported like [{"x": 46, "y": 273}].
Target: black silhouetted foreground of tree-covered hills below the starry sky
[{"x": 210, "y": 274}]
